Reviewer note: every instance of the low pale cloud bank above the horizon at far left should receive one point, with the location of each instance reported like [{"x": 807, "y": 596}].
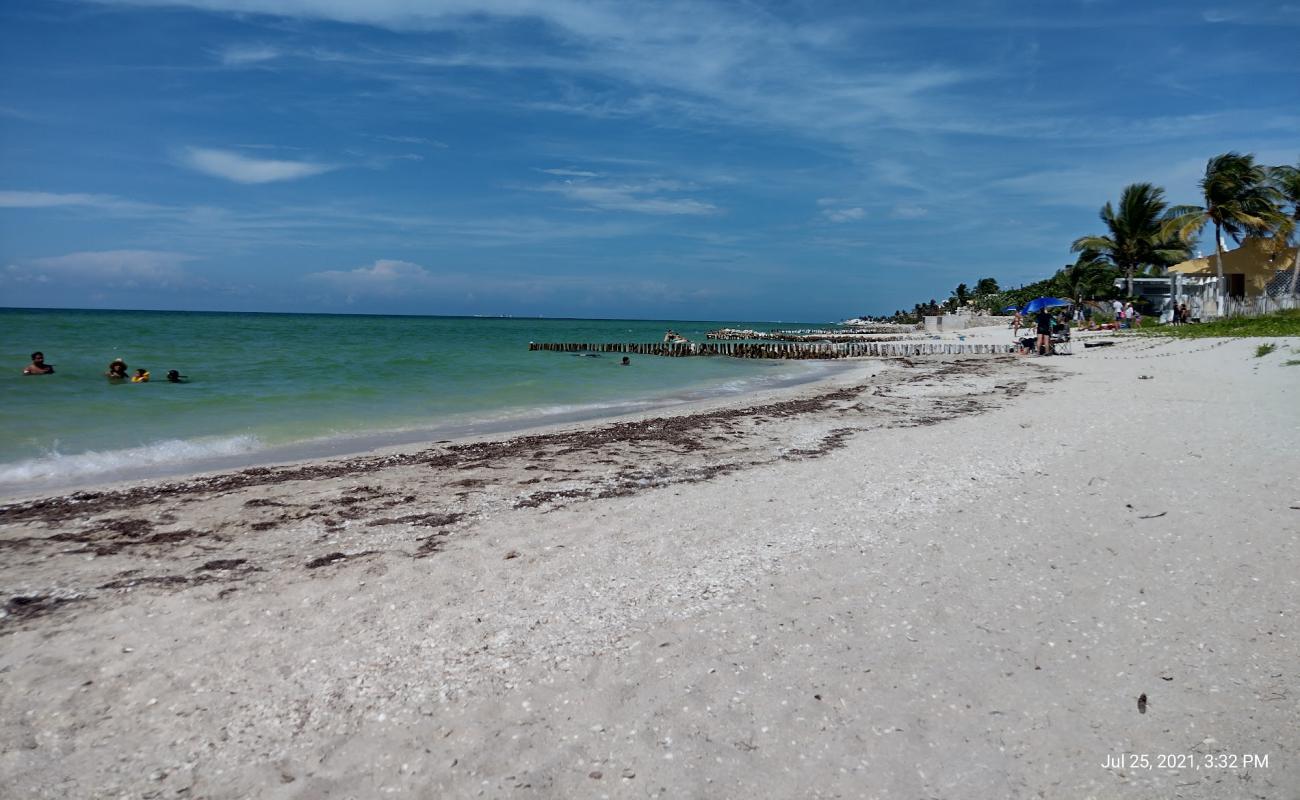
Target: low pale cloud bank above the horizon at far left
[{"x": 105, "y": 269}]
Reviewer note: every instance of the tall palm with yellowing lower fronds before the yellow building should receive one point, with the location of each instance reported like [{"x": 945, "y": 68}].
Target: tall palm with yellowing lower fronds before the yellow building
[{"x": 1238, "y": 202}]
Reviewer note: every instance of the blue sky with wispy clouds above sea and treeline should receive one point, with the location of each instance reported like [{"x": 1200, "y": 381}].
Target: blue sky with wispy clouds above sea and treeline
[{"x": 742, "y": 161}]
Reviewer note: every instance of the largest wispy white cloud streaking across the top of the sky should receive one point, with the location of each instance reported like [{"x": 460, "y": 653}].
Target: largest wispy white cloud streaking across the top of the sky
[{"x": 684, "y": 63}]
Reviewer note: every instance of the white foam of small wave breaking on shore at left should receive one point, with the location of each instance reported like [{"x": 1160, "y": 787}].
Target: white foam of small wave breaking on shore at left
[{"x": 58, "y": 466}]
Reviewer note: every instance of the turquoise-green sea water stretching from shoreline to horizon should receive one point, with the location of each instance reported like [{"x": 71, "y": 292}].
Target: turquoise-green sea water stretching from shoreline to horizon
[{"x": 267, "y": 387}]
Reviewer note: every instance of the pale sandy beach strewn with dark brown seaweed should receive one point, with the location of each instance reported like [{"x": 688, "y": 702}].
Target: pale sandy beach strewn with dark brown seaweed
[{"x": 931, "y": 578}]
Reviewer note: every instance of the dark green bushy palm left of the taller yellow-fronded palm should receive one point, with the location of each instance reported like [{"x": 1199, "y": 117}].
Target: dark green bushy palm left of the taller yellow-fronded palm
[{"x": 1137, "y": 236}]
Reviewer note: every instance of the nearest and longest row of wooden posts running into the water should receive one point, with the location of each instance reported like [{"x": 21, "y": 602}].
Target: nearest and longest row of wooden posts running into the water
[{"x": 787, "y": 351}]
